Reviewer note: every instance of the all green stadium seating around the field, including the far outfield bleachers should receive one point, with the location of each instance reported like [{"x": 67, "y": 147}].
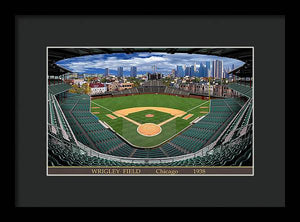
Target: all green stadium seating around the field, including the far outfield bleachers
[{"x": 76, "y": 137}]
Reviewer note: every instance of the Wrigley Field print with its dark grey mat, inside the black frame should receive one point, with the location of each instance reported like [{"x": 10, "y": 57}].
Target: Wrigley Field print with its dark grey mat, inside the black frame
[{"x": 149, "y": 110}]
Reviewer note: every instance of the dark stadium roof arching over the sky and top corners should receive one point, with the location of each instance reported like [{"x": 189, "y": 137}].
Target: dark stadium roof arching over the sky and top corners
[{"x": 56, "y": 54}]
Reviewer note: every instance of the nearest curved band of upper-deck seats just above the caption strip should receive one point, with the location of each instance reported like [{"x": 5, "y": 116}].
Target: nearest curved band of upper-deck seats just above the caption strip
[{"x": 235, "y": 153}]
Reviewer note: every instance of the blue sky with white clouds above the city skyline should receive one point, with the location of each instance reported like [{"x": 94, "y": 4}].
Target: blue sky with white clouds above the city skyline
[{"x": 143, "y": 61}]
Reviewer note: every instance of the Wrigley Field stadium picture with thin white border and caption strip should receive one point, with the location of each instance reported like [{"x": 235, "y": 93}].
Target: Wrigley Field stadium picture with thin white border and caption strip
[{"x": 137, "y": 111}]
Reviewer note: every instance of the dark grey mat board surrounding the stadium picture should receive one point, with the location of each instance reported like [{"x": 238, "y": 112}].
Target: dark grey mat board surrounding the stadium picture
[{"x": 32, "y": 32}]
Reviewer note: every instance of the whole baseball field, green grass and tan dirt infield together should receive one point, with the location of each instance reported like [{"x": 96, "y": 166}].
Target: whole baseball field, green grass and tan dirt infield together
[{"x": 148, "y": 120}]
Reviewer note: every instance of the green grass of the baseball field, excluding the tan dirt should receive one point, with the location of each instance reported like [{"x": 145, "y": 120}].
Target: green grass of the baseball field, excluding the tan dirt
[{"x": 129, "y": 130}]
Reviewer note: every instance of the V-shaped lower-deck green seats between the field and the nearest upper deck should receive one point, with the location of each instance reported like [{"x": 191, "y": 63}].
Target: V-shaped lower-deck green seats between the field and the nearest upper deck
[{"x": 90, "y": 132}]
